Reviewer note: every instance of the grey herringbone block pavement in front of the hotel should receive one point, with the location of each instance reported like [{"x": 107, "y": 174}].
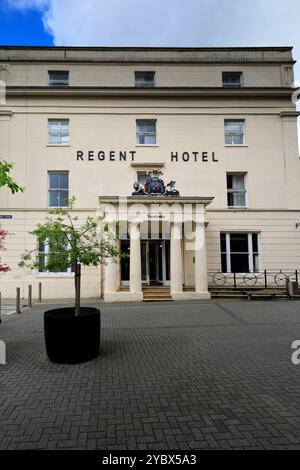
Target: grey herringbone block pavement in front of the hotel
[{"x": 181, "y": 375}]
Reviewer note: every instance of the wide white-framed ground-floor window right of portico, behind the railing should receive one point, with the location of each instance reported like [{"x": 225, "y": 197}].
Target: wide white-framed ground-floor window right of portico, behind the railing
[{"x": 239, "y": 252}]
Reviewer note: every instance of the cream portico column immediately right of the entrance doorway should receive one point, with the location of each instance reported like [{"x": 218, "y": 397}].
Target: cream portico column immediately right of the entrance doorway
[{"x": 176, "y": 259}]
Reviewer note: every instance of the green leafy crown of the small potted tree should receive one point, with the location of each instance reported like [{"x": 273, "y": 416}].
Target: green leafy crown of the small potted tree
[{"x": 70, "y": 243}]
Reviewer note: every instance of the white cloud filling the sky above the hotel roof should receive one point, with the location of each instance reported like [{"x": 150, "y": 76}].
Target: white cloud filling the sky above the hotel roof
[{"x": 165, "y": 23}]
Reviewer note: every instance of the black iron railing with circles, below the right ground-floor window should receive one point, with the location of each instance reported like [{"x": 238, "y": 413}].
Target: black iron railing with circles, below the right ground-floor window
[{"x": 263, "y": 279}]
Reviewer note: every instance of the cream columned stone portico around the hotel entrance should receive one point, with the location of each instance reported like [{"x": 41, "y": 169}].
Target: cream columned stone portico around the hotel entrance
[{"x": 178, "y": 219}]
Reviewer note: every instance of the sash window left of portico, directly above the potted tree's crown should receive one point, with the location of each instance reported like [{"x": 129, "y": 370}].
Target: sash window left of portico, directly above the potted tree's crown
[{"x": 58, "y": 189}]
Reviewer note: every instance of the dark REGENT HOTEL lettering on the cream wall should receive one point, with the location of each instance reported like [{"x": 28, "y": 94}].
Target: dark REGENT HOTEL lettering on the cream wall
[{"x": 129, "y": 155}]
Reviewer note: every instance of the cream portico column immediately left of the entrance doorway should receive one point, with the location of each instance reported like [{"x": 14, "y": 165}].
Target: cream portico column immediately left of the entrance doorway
[{"x": 135, "y": 260}]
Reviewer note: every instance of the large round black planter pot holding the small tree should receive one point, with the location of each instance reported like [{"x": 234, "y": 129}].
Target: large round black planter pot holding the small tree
[{"x": 70, "y": 339}]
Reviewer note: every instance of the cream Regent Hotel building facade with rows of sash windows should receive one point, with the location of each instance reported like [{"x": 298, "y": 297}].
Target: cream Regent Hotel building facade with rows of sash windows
[{"x": 89, "y": 122}]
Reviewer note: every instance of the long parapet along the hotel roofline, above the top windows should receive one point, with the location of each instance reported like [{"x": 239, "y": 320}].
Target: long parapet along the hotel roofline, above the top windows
[{"x": 147, "y": 54}]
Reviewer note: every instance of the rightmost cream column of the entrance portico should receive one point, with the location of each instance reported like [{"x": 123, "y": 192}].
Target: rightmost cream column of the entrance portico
[{"x": 201, "y": 280}]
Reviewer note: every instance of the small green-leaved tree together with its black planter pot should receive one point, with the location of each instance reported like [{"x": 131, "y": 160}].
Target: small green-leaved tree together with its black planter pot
[{"x": 71, "y": 334}]
